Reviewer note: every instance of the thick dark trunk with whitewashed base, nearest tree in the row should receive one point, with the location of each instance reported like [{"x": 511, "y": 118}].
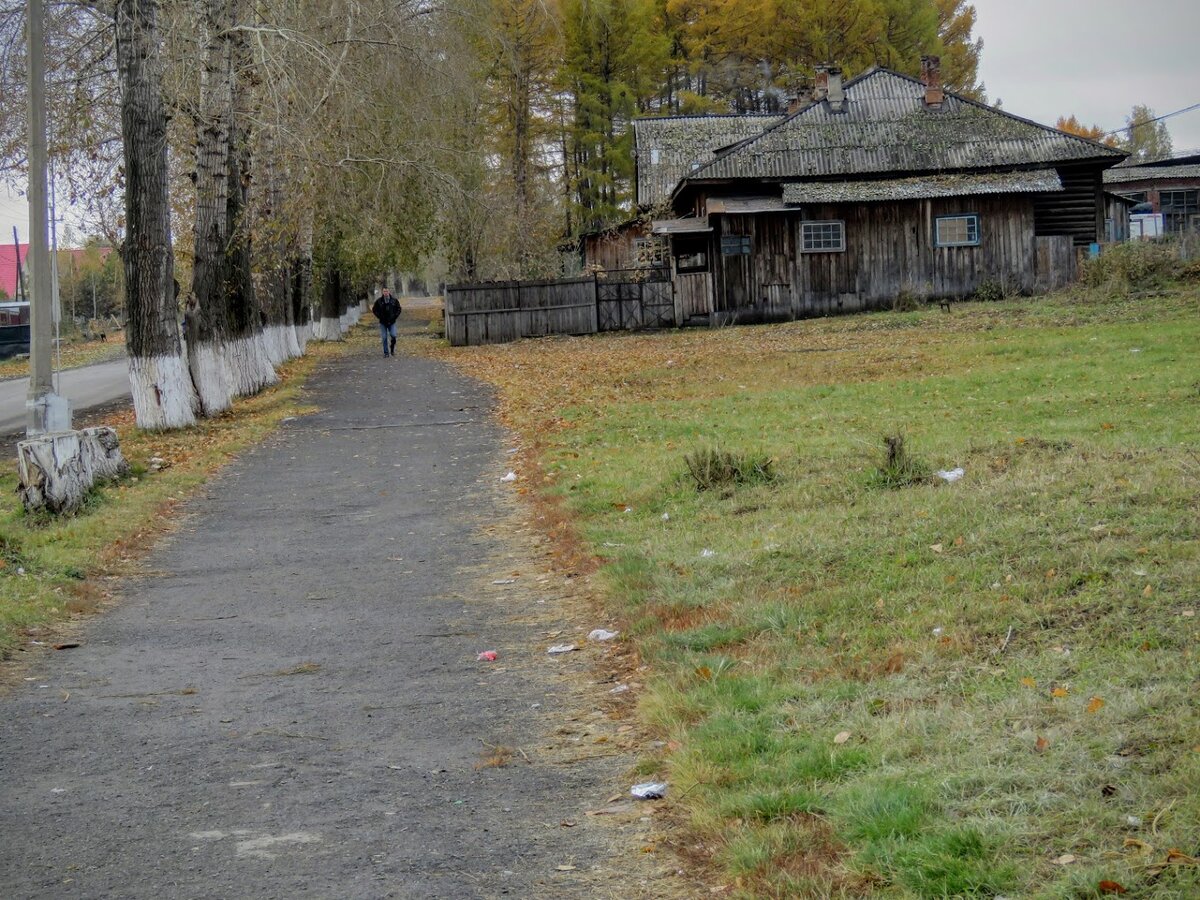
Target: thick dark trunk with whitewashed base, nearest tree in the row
[{"x": 163, "y": 391}]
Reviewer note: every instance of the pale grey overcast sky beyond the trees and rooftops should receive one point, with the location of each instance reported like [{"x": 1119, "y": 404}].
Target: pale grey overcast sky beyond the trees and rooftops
[{"x": 1095, "y": 59}]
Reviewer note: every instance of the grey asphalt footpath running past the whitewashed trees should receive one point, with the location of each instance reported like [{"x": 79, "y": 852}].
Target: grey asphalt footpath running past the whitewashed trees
[{"x": 290, "y": 704}]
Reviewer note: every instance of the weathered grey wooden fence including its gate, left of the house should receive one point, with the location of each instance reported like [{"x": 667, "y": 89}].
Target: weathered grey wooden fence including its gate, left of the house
[{"x": 511, "y": 310}]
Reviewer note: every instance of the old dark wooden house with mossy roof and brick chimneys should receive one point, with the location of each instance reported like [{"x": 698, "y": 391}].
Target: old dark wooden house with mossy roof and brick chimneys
[{"x": 884, "y": 187}]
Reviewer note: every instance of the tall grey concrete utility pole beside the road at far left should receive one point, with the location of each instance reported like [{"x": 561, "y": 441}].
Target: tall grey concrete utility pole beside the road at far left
[{"x": 47, "y": 412}]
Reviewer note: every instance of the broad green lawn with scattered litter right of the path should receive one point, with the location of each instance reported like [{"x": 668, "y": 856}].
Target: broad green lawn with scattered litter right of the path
[{"x": 885, "y": 685}]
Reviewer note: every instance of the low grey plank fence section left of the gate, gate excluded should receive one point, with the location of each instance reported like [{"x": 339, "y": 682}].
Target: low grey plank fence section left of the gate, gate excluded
[{"x": 508, "y": 311}]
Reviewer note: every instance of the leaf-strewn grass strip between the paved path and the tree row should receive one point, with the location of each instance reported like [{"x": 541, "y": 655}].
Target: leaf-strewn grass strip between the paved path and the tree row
[{"x": 53, "y": 569}]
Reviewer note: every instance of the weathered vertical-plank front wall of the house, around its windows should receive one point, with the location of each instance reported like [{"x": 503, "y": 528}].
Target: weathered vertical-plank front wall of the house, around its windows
[{"x": 890, "y": 249}]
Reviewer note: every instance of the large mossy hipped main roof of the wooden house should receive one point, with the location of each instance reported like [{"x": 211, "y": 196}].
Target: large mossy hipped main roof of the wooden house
[{"x": 887, "y": 128}]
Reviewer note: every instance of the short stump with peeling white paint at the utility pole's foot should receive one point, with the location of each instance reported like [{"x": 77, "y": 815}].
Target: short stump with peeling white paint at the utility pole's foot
[{"x": 56, "y": 472}]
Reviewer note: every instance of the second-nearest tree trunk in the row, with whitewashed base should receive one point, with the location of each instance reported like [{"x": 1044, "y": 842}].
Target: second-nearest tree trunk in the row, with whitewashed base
[{"x": 207, "y": 307}]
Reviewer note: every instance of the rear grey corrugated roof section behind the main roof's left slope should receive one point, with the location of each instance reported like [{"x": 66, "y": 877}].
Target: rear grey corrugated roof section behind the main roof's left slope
[{"x": 671, "y": 147}]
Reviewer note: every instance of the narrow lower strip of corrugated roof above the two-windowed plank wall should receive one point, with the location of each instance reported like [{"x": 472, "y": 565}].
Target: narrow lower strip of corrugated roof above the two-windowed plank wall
[{"x": 925, "y": 188}]
